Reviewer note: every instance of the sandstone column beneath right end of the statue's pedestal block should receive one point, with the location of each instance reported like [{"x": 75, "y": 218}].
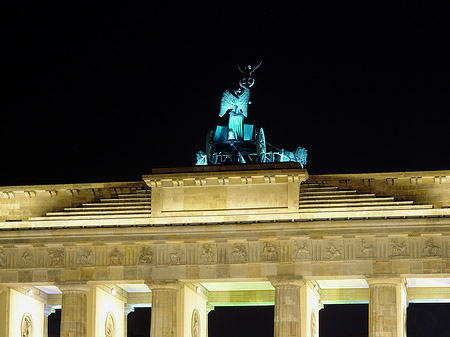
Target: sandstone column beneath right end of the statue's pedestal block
[{"x": 287, "y": 307}]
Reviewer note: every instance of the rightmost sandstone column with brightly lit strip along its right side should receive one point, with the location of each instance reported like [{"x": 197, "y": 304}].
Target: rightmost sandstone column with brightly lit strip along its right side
[{"x": 387, "y": 307}]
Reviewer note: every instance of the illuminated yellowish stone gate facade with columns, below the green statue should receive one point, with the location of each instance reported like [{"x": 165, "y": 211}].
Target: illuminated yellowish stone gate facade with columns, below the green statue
[{"x": 185, "y": 240}]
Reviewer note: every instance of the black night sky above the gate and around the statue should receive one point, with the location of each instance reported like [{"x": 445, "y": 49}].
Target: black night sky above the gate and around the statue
[{"x": 106, "y": 92}]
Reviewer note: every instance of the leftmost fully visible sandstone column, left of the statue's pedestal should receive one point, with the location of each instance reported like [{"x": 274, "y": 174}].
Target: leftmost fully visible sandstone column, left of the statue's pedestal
[{"x": 74, "y": 310}]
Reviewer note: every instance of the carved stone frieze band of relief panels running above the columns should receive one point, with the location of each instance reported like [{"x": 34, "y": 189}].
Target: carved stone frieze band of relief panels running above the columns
[{"x": 228, "y": 252}]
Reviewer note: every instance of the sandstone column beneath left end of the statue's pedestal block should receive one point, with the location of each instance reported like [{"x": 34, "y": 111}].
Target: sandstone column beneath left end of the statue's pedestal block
[{"x": 164, "y": 309}]
